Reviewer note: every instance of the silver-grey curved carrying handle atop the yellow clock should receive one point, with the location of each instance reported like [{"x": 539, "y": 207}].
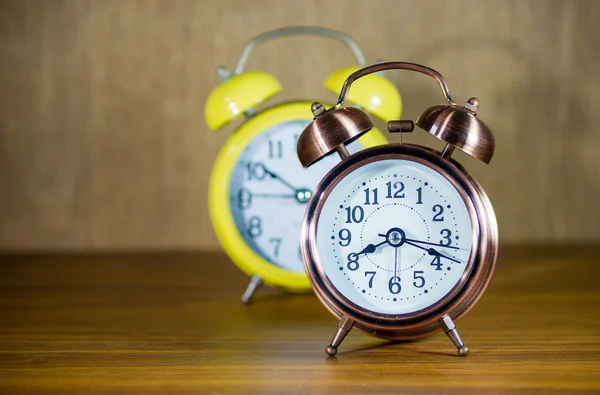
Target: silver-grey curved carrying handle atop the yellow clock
[{"x": 299, "y": 30}]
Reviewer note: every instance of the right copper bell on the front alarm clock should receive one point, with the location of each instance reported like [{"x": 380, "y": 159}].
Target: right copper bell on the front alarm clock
[{"x": 460, "y": 127}]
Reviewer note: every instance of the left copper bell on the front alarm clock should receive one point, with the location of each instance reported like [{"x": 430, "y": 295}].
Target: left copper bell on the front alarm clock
[{"x": 331, "y": 130}]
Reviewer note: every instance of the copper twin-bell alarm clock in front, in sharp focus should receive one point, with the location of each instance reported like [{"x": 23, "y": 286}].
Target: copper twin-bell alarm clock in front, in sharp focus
[{"x": 398, "y": 241}]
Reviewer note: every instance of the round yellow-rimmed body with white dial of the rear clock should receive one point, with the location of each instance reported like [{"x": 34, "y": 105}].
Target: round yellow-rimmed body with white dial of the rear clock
[{"x": 258, "y": 193}]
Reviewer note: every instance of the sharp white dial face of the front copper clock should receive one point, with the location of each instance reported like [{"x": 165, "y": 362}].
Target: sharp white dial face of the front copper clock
[{"x": 394, "y": 236}]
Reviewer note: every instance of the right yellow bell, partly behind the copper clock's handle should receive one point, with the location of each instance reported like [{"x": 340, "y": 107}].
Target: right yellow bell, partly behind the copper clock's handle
[{"x": 373, "y": 93}]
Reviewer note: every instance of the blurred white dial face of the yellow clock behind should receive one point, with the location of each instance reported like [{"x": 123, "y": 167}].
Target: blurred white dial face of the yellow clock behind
[{"x": 269, "y": 190}]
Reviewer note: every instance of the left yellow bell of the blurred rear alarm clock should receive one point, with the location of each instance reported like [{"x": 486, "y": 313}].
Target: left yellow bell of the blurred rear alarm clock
[{"x": 238, "y": 94}]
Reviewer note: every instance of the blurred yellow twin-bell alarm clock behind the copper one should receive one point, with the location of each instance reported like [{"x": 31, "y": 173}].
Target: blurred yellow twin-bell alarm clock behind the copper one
[{"x": 258, "y": 190}]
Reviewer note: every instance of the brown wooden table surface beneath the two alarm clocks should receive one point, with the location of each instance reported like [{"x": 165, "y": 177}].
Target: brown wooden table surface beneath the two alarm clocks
[{"x": 173, "y": 323}]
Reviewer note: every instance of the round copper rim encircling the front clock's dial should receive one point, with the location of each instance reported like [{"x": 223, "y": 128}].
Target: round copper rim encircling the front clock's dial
[{"x": 483, "y": 248}]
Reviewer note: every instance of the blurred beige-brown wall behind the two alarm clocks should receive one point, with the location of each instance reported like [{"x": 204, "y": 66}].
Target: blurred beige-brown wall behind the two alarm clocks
[{"x": 103, "y": 143}]
